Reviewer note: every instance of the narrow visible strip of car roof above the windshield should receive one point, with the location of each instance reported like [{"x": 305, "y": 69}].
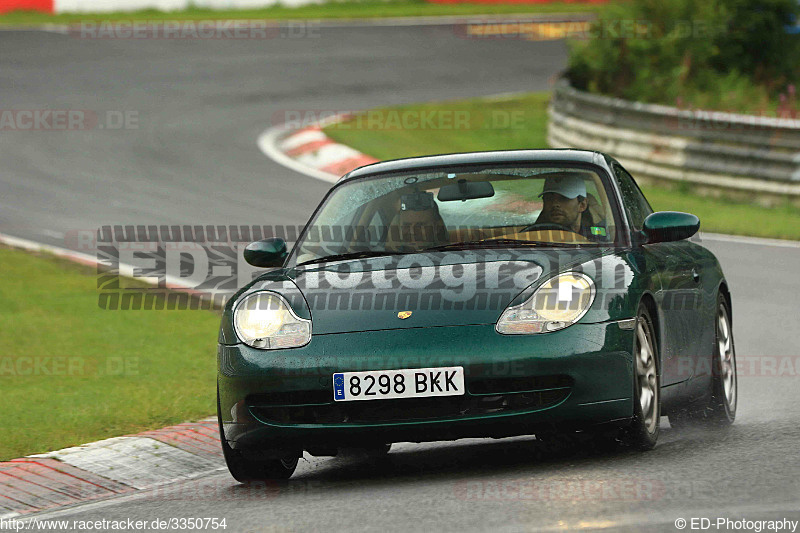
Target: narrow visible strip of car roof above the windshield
[{"x": 432, "y": 162}]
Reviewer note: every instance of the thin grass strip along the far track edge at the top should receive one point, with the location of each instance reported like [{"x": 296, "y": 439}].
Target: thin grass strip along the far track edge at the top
[{"x": 331, "y": 9}]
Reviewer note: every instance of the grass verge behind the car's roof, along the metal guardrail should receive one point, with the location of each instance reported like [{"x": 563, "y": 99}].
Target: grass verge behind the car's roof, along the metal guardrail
[{"x": 378, "y": 135}]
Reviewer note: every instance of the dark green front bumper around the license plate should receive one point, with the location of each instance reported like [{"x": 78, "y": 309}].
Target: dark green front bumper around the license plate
[{"x": 283, "y": 399}]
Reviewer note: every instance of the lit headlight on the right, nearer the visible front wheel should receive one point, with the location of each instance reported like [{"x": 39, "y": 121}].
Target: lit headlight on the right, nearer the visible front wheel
[{"x": 559, "y": 302}]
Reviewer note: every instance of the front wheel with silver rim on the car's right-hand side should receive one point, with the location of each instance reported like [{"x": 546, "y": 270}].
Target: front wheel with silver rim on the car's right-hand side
[{"x": 645, "y": 426}]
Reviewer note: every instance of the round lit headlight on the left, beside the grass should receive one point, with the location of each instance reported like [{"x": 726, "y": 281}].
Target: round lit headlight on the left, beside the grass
[{"x": 265, "y": 320}]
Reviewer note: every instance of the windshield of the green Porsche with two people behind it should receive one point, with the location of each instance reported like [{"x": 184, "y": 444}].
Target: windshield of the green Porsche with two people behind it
[{"x": 492, "y": 207}]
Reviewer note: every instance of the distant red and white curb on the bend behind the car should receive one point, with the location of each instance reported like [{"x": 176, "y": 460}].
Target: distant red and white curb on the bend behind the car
[{"x": 311, "y": 152}]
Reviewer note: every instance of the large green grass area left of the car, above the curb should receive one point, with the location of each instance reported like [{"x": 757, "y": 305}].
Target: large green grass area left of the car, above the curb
[{"x": 111, "y": 372}]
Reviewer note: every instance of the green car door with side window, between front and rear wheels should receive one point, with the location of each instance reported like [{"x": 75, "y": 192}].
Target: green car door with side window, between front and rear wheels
[{"x": 679, "y": 298}]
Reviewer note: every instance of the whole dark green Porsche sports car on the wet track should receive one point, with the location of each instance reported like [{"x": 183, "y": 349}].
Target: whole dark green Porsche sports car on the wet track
[{"x": 482, "y": 294}]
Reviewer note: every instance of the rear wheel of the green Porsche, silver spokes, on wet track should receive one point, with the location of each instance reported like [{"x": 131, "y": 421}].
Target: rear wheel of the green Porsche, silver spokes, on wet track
[{"x": 718, "y": 409}]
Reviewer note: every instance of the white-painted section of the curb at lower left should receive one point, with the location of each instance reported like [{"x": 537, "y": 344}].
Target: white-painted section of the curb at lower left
[{"x": 139, "y": 462}]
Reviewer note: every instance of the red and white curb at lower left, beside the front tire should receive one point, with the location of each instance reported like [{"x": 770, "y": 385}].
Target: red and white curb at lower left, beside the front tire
[{"x": 108, "y": 468}]
